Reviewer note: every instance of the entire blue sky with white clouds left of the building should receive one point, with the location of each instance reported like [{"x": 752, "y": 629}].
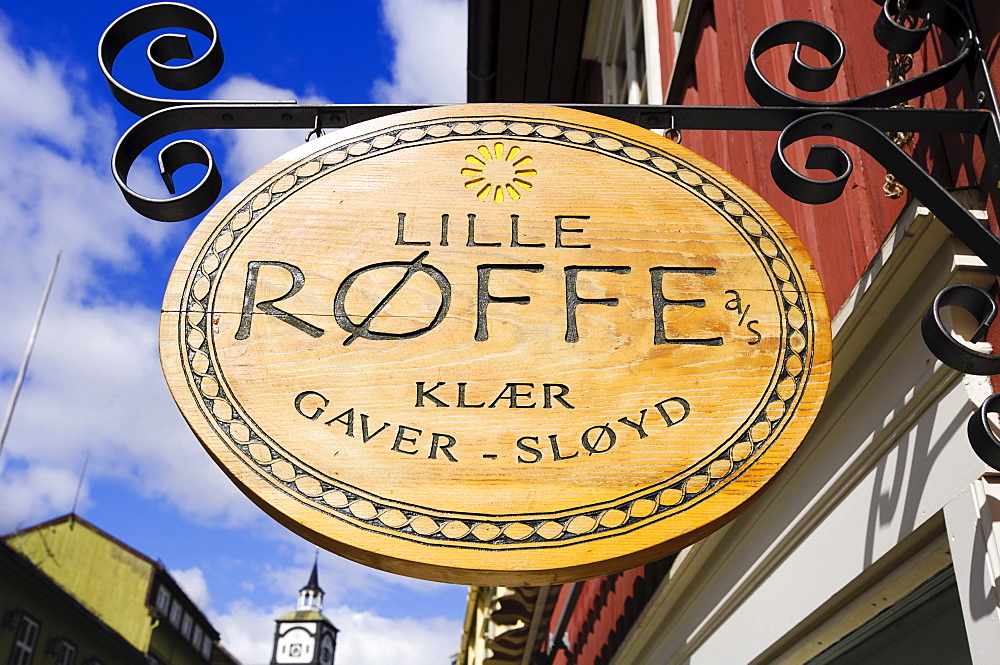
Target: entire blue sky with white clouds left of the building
[{"x": 95, "y": 383}]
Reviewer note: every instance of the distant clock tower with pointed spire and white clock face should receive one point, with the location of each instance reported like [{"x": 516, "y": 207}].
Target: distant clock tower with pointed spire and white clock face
[{"x": 305, "y": 636}]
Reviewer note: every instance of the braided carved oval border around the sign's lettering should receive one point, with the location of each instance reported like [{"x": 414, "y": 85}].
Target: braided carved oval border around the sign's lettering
[{"x": 333, "y": 498}]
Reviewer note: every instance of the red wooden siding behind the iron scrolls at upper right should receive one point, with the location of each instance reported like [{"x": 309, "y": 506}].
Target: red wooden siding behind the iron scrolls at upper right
[{"x": 842, "y": 236}]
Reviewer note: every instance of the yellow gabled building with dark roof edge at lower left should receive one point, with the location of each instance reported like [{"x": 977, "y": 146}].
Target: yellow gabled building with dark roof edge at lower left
[{"x": 125, "y": 589}]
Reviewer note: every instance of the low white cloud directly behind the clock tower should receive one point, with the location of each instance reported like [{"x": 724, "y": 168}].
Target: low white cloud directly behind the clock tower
[{"x": 365, "y": 638}]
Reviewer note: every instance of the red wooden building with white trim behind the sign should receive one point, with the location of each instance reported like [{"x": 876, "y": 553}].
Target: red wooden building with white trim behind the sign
[{"x": 879, "y": 542}]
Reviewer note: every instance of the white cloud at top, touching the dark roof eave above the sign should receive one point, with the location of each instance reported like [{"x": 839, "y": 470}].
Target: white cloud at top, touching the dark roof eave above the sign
[{"x": 429, "y": 62}]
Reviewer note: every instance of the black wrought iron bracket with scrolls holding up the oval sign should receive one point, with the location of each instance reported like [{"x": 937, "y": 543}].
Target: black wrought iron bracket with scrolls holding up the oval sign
[{"x": 863, "y": 121}]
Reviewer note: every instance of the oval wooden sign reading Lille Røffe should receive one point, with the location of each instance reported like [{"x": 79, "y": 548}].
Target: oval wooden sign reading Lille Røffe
[{"x": 496, "y": 344}]
